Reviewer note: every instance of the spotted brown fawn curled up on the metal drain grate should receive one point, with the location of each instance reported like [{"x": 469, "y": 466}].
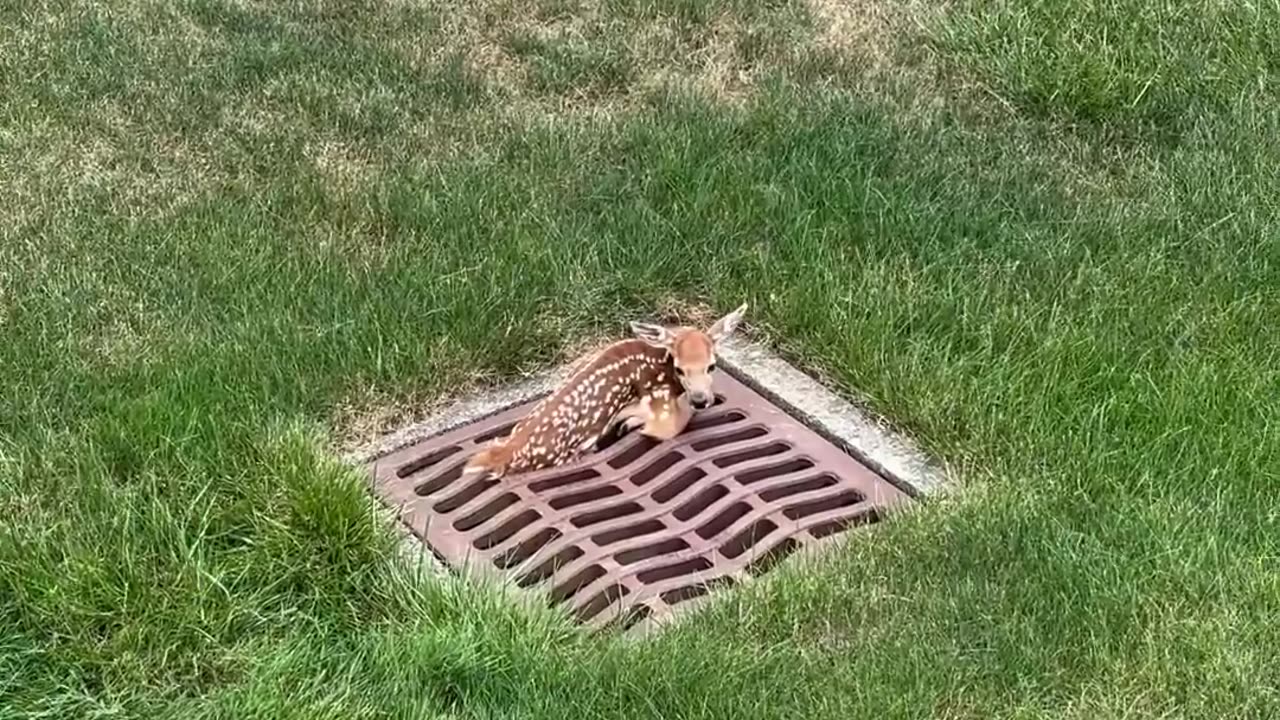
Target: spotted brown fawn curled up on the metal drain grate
[{"x": 652, "y": 382}]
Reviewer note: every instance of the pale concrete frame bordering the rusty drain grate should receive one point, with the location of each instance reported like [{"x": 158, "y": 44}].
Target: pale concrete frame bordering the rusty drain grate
[{"x": 889, "y": 454}]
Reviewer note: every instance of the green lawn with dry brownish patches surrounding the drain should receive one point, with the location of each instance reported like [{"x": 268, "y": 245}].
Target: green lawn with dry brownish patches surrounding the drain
[{"x": 234, "y": 231}]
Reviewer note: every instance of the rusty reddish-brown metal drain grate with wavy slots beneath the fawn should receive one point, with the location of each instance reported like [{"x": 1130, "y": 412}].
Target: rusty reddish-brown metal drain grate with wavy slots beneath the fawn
[{"x": 638, "y": 528}]
